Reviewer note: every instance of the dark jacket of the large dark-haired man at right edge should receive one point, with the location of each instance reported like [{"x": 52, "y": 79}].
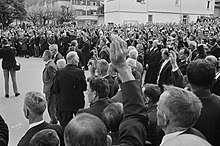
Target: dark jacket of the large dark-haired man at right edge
[{"x": 208, "y": 122}]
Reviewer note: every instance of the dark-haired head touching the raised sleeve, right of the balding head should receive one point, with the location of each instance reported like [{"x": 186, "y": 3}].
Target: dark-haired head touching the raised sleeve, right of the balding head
[{"x": 112, "y": 116}]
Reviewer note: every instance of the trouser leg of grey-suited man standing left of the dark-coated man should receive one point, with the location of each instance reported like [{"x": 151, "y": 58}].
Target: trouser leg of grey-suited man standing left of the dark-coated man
[{"x": 51, "y": 106}]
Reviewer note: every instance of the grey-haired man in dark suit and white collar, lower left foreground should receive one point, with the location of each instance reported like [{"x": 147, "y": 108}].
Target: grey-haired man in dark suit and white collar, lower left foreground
[{"x": 34, "y": 107}]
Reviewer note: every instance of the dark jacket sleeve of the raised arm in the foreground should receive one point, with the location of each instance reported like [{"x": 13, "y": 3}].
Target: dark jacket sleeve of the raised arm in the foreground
[{"x": 132, "y": 130}]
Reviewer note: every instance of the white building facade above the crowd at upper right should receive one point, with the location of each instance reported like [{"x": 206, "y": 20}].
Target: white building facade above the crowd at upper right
[{"x": 142, "y": 11}]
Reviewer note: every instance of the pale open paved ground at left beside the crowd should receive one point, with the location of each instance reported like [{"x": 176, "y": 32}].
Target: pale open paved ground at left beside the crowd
[{"x": 28, "y": 79}]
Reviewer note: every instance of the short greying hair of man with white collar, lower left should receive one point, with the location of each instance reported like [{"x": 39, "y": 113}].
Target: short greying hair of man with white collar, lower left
[{"x": 35, "y": 102}]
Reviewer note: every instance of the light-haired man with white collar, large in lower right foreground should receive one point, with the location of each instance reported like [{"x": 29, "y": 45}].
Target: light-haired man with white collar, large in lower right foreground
[{"x": 177, "y": 112}]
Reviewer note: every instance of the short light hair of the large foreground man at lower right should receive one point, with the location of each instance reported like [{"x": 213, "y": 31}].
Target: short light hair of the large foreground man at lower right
[{"x": 184, "y": 107}]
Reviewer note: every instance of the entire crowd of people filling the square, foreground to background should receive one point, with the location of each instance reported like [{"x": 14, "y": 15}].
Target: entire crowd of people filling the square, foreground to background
[{"x": 152, "y": 84}]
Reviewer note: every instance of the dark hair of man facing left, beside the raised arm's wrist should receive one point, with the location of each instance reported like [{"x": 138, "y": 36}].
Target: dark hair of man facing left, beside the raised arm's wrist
[{"x": 100, "y": 85}]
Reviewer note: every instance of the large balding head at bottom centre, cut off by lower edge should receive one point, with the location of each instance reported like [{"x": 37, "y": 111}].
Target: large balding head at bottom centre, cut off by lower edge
[{"x": 85, "y": 130}]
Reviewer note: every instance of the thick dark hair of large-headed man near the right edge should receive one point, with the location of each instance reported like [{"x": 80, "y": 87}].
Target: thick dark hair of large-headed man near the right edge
[{"x": 201, "y": 72}]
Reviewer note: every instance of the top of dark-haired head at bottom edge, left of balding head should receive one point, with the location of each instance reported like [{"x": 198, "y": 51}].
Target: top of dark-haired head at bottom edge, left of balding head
[{"x": 46, "y": 137}]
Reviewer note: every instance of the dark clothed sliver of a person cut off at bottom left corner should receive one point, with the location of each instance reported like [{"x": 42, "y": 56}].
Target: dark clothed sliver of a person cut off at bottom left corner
[{"x": 4, "y": 133}]
